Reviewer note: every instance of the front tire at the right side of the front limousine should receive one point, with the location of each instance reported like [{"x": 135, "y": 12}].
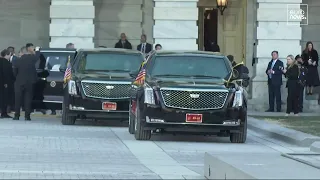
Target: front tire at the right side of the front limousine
[{"x": 242, "y": 136}]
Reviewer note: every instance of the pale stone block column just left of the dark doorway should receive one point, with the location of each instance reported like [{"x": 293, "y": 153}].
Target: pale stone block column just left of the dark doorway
[{"x": 175, "y": 26}]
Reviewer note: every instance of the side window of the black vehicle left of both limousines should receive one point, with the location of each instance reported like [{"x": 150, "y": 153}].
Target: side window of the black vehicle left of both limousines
[{"x": 54, "y": 60}]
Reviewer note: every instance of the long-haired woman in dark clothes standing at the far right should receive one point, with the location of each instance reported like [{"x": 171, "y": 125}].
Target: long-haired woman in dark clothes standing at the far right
[{"x": 310, "y": 58}]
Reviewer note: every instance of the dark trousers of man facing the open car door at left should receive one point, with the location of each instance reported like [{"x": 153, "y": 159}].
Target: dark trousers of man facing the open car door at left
[{"x": 26, "y": 91}]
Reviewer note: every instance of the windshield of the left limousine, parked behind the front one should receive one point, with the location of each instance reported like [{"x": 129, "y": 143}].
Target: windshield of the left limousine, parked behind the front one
[{"x": 110, "y": 62}]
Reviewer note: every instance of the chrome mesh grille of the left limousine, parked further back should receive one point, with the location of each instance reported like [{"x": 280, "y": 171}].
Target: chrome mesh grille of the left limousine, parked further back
[{"x": 106, "y": 90}]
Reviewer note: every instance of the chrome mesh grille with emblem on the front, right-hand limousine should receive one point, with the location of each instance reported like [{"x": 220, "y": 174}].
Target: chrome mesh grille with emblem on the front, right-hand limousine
[{"x": 194, "y": 99}]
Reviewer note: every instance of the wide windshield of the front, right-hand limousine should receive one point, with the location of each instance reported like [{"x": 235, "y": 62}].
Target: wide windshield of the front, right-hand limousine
[{"x": 190, "y": 66}]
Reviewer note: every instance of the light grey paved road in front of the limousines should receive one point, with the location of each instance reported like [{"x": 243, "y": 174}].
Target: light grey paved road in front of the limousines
[{"x": 45, "y": 149}]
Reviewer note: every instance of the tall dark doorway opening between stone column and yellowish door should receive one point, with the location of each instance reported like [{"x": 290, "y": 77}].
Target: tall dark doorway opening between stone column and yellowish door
[{"x": 210, "y": 29}]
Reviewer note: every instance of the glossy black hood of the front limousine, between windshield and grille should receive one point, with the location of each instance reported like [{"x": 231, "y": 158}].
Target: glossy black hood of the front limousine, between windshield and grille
[{"x": 207, "y": 83}]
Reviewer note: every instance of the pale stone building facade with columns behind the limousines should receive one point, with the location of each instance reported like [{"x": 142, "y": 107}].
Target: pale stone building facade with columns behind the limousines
[{"x": 175, "y": 24}]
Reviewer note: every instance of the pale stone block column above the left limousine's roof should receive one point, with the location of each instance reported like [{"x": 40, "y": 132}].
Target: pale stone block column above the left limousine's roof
[{"x": 72, "y": 22}]
